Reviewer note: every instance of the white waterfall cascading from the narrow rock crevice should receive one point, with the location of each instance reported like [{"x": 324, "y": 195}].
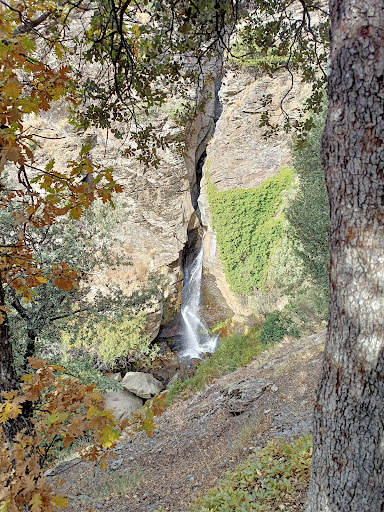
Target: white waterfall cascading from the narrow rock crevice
[{"x": 196, "y": 339}]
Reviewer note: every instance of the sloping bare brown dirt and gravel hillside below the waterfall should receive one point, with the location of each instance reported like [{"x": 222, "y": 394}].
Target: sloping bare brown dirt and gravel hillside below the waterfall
[{"x": 199, "y": 439}]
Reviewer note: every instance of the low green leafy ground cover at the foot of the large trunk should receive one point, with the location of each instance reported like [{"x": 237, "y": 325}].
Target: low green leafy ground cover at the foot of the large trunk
[{"x": 272, "y": 479}]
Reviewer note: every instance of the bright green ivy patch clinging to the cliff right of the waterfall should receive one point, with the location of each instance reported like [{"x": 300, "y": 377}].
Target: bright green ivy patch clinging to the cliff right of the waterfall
[{"x": 248, "y": 226}]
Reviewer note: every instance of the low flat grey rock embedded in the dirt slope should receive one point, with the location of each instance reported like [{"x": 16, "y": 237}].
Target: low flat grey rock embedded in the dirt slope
[{"x": 238, "y": 396}]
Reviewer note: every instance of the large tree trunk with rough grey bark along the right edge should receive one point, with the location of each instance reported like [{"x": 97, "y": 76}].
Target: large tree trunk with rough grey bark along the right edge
[{"x": 348, "y": 462}]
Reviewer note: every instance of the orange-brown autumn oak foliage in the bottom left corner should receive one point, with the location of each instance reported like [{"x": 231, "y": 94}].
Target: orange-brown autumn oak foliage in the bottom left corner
[{"x": 55, "y": 408}]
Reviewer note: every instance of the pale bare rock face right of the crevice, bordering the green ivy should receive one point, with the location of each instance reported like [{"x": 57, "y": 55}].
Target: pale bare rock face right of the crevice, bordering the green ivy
[{"x": 239, "y": 156}]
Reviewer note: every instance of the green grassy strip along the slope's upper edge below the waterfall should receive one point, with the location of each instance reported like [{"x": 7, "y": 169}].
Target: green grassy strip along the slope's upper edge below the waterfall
[{"x": 233, "y": 352}]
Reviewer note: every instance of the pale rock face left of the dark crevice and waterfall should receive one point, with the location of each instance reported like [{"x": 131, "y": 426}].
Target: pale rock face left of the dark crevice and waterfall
[{"x": 157, "y": 203}]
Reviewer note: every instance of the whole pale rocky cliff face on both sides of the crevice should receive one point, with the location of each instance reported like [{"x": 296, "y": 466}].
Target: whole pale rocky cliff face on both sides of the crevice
[{"x": 160, "y": 201}]
